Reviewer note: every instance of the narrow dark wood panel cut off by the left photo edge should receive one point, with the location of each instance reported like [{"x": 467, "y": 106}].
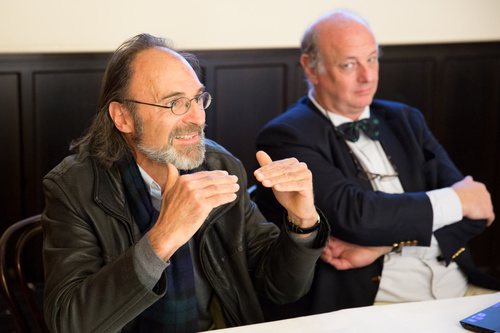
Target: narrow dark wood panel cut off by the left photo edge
[{"x": 10, "y": 141}]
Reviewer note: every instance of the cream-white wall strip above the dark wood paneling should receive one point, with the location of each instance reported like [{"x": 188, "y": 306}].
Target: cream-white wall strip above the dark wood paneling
[{"x": 101, "y": 25}]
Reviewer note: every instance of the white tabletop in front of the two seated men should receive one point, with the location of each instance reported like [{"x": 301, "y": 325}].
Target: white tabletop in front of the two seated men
[{"x": 441, "y": 316}]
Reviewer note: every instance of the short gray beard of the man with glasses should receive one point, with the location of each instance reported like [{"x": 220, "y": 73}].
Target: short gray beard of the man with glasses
[{"x": 190, "y": 157}]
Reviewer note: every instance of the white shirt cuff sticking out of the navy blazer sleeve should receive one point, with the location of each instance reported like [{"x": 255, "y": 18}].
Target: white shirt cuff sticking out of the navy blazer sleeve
[{"x": 446, "y": 207}]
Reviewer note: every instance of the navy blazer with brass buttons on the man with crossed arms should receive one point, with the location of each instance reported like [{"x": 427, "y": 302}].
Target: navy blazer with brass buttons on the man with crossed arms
[{"x": 357, "y": 213}]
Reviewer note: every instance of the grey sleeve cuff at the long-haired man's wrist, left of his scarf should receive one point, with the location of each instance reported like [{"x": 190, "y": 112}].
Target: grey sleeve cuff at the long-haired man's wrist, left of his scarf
[{"x": 149, "y": 267}]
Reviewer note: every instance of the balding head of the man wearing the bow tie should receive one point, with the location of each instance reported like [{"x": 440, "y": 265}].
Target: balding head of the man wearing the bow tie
[{"x": 340, "y": 59}]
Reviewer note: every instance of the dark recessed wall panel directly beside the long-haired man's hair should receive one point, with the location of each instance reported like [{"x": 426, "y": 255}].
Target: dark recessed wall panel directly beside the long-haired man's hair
[{"x": 65, "y": 103}]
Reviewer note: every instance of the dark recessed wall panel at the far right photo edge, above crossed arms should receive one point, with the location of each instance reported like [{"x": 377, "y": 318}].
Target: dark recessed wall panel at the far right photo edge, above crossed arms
[{"x": 469, "y": 120}]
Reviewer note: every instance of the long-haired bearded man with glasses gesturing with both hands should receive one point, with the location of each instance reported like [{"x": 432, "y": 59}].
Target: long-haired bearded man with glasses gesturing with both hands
[{"x": 148, "y": 226}]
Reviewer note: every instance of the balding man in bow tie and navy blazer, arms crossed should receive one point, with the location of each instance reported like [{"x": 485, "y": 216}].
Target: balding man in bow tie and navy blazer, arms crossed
[{"x": 380, "y": 177}]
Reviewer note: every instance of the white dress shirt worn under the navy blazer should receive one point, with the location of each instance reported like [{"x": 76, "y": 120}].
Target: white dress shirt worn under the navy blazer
[{"x": 415, "y": 274}]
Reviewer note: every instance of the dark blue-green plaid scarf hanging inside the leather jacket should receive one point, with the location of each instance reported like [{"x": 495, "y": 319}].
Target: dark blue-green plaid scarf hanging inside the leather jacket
[{"x": 176, "y": 311}]
